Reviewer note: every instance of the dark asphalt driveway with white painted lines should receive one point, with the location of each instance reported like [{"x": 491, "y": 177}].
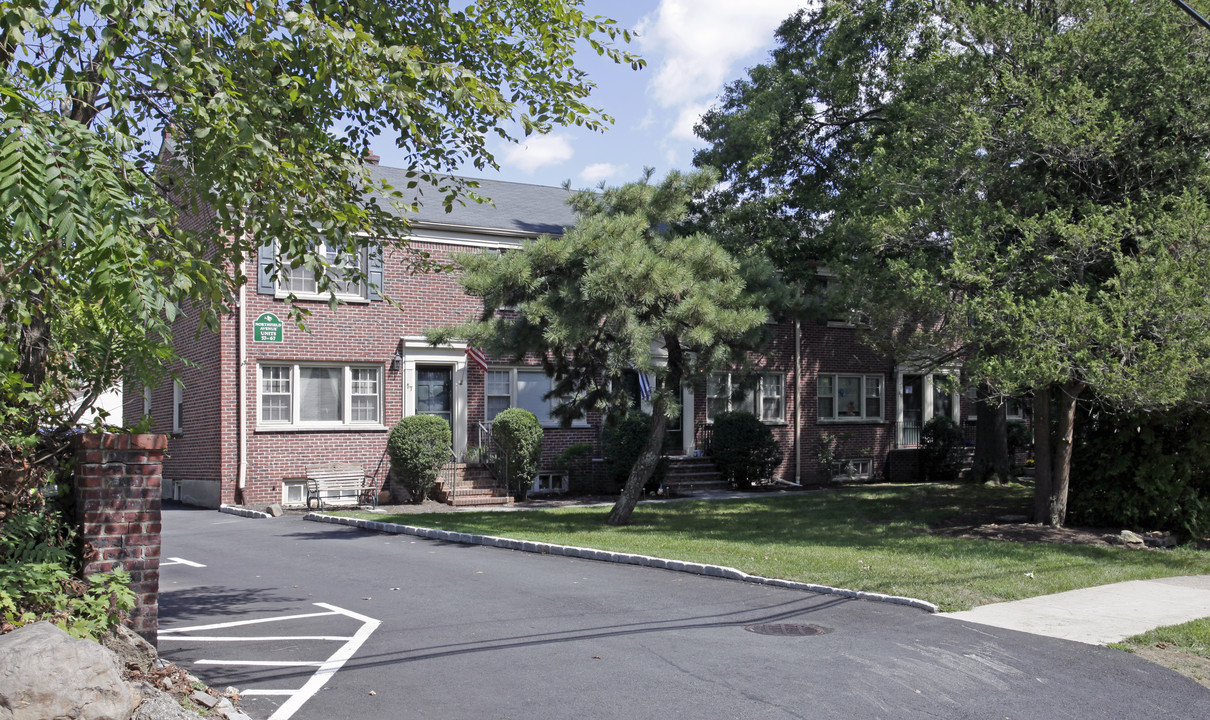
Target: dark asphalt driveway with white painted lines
[{"x": 316, "y": 621}]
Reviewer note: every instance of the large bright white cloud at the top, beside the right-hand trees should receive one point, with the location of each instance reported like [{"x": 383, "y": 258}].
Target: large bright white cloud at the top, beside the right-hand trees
[{"x": 699, "y": 43}]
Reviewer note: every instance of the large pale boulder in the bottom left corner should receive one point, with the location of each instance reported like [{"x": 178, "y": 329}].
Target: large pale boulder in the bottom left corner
[{"x": 48, "y": 673}]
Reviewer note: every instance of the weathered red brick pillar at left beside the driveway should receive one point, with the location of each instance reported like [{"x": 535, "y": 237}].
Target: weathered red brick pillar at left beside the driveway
[{"x": 118, "y": 505}]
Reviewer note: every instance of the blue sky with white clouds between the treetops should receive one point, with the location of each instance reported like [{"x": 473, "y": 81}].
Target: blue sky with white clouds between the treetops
[{"x": 693, "y": 48}]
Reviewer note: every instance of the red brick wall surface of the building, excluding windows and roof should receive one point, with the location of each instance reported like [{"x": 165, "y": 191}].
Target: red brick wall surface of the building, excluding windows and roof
[{"x": 205, "y": 457}]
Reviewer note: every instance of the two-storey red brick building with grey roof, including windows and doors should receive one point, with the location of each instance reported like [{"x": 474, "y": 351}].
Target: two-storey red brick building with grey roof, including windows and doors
[{"x": 263, "y": 400}]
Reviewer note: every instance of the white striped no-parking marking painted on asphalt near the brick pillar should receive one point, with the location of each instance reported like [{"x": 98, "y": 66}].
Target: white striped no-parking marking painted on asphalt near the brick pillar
[{"x": 296, "y": 699}]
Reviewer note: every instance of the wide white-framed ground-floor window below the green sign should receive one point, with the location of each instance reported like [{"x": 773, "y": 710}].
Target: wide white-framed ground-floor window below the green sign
[{"x": 313, "y": 395}]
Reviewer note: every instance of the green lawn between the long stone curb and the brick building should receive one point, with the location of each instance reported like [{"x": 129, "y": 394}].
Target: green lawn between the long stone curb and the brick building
[{"x": 871, "y": 539}]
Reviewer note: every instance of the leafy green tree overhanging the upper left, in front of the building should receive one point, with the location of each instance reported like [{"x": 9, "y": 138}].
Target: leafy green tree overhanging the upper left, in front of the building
[{"x": 268, "y": 110}]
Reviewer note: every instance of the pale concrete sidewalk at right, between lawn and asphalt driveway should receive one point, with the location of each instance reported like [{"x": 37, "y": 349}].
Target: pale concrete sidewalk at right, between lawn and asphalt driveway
[{"x": 1100, "y": 615}]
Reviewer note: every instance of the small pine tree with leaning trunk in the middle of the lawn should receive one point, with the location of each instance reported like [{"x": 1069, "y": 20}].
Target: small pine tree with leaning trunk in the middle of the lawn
[{"x": 623, "y": 290}]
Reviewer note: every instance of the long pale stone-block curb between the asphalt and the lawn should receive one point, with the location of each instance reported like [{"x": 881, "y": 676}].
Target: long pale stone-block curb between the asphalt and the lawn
[{"x": 612, "y": 557}]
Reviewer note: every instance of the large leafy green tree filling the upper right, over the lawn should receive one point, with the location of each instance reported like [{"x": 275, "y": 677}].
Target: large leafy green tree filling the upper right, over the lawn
[{"x": 1022, "y": 186}]
